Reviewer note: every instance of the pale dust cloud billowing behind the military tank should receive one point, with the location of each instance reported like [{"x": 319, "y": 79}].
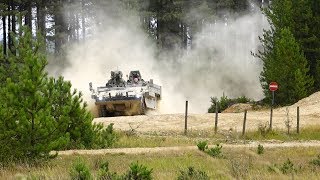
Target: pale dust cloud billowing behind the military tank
[{"x": 219, "y": 61}]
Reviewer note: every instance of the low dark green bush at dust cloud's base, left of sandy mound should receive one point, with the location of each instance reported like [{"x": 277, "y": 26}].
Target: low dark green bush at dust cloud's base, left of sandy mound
[{"x": 226, "y": 102}]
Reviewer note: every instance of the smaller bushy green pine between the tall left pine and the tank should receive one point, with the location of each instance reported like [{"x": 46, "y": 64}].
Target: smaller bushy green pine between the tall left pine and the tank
[{"x": 69, "y": 109}]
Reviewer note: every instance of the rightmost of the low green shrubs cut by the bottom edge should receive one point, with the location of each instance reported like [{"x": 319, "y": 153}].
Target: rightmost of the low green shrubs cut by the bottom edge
[{"x": 193, "y": 174}]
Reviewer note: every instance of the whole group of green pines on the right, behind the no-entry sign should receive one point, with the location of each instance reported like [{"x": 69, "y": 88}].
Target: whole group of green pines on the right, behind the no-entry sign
[{"x": 291, "y": 49}]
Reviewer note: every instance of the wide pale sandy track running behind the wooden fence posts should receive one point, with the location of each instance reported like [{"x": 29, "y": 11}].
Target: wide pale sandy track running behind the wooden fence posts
[{"x": 309, "y": 116}]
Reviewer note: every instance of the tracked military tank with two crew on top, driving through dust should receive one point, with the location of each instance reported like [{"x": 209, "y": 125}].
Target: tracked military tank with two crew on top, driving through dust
[{"x": 126, "y": 98}]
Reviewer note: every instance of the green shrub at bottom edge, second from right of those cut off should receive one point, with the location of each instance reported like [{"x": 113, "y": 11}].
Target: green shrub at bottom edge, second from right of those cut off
[{"x": 138, "y": 172}]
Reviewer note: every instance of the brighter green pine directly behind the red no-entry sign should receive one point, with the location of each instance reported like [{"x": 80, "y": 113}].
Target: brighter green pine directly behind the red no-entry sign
[{"x": 286, "y": 64}]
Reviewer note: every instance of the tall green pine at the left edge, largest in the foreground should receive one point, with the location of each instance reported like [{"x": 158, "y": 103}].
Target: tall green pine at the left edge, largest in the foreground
[{"x": 27, "y": 127}]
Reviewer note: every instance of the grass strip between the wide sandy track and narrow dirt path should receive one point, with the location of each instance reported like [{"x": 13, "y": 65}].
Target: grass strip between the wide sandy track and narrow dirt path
[{"x": 154, "y": 140}]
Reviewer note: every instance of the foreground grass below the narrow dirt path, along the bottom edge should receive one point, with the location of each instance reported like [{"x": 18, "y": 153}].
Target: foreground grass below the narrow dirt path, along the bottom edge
[{"x": 240, "y": 163}]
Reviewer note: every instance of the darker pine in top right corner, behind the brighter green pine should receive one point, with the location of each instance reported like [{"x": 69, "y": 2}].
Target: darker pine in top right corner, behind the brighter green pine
[{"x": 301, "y": 17}]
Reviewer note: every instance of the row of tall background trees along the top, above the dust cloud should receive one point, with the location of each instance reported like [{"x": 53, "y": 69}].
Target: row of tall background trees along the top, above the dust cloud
[{"x": 171, "y": 23}]
